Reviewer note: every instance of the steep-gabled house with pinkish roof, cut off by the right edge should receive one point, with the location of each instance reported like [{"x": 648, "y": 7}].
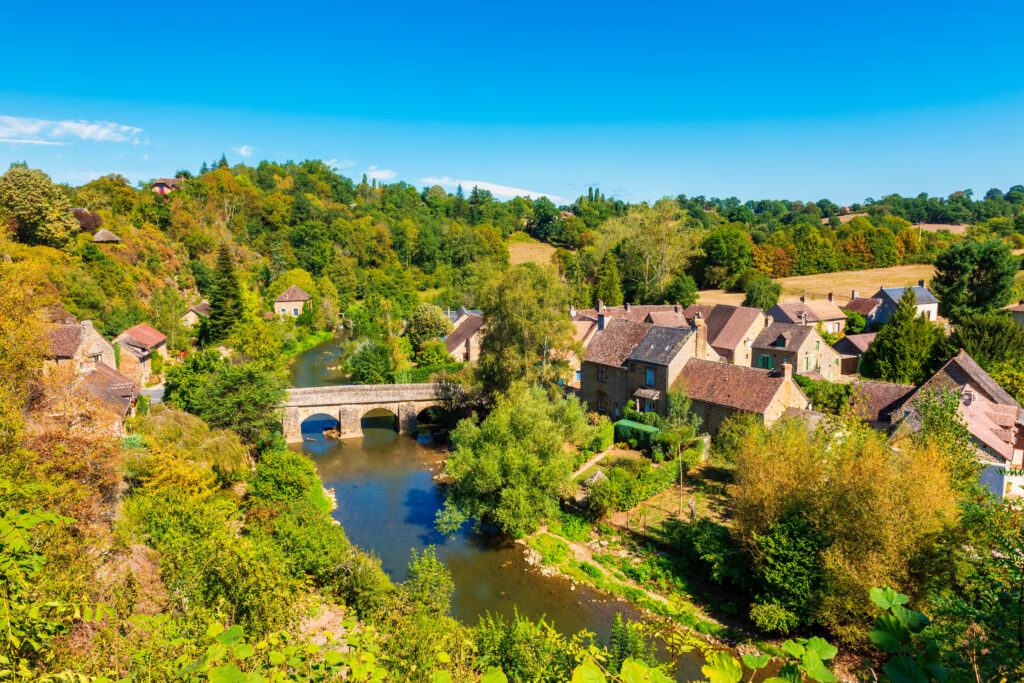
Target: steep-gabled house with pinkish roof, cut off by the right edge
[{"x": 995, "y": 419}]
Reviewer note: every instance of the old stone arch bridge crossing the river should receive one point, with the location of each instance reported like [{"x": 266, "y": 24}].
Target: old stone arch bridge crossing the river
[{"x": 348, "y": 404}]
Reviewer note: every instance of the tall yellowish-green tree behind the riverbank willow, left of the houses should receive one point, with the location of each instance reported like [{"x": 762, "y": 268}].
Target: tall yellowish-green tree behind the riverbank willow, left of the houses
[{"x": 528, "y": 334}]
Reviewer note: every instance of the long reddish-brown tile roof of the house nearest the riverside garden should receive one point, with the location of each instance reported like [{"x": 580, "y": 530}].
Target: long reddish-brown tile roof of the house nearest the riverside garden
[{"x": 742, "y": 389}]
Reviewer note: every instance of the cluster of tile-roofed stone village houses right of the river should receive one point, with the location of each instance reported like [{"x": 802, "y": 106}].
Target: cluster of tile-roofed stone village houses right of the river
[{"x": 731, "y": 360}]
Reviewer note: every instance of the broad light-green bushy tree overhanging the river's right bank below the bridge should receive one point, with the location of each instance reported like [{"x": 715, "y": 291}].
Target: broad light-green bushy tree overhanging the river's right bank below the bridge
[{"x": 511, "y": 468}]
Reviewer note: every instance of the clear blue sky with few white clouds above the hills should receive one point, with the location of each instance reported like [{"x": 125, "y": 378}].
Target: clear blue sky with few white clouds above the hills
[{"x": 783, "y": 101}]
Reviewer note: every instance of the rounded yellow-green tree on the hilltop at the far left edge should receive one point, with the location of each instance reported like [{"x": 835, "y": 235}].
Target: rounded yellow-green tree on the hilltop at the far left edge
[{"x": 36, "y": 208}]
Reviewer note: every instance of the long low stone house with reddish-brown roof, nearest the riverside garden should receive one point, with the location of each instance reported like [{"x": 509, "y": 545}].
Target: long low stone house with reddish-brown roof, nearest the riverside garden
[{"x": 718, "y": 391}]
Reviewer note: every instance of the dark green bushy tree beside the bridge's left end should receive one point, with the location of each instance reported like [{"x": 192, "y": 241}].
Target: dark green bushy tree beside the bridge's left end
[{"x": 246, "y": 400}]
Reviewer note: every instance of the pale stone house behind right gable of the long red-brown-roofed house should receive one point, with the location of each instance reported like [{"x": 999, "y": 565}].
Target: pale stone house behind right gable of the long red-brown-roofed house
[{"x": 799, "y": 346}]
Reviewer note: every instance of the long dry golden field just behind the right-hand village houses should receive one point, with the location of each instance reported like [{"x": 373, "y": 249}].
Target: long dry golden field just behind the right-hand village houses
[{"x": 843, "y": 283}]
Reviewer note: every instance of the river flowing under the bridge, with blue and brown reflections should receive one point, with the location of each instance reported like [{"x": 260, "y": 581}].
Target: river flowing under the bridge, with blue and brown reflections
[{"x": 388, "y": 500}]
